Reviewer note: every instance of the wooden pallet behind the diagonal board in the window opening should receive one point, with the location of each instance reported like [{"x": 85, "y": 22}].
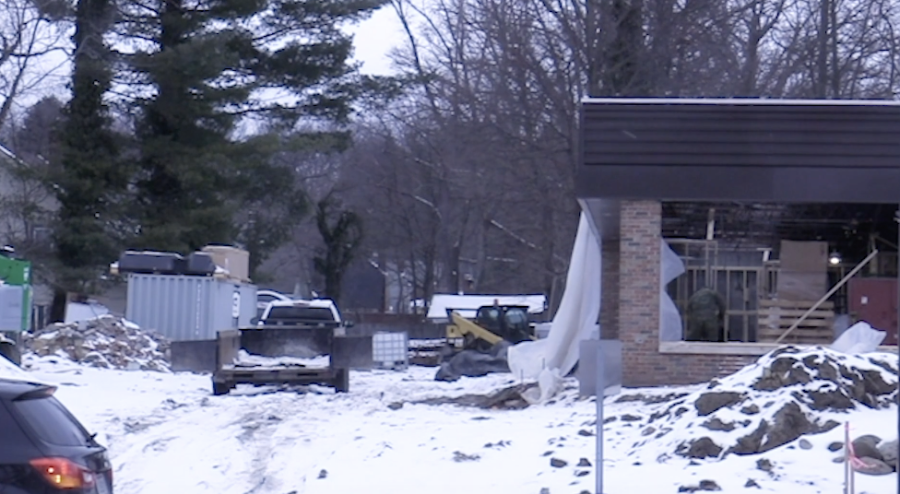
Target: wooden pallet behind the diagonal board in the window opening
[{"x": 777, "y": 316}]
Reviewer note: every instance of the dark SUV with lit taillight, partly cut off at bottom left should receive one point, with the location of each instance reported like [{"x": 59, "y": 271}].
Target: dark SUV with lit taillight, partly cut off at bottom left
[{"x": 43, "y": 448}]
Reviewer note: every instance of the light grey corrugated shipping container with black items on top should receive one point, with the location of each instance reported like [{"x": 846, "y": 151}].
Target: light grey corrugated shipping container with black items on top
[{"x": 186, "y": 308}]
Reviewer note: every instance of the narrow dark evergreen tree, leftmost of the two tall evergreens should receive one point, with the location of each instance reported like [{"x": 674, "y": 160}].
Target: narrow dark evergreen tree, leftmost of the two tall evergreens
[{"x": 90, "y": 174}]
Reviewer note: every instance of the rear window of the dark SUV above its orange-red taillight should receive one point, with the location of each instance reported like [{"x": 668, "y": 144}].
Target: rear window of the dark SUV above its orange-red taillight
[{"x": 50, "y": 422}]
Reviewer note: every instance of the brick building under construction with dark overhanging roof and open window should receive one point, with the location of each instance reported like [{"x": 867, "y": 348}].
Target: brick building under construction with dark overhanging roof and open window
[{"x": 784, "y": 209}]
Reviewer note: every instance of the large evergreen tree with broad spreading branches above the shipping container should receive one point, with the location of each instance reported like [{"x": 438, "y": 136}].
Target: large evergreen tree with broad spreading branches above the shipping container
[{"x": 215, "y": 65}]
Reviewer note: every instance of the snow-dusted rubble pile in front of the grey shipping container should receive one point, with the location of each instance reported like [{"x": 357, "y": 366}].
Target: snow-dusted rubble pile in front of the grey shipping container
[{"x": 106, "y": 341}]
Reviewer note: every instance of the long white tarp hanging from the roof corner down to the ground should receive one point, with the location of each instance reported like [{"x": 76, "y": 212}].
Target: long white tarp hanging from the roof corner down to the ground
[{"x": 548, "y": 359}]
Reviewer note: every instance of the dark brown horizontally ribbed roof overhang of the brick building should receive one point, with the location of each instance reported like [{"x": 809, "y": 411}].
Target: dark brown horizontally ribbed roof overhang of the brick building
[{"x": 753, "y": 150}]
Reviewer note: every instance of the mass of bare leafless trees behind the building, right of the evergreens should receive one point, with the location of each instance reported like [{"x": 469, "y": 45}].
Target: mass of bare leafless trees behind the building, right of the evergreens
[{"x": 476, "y": 164}]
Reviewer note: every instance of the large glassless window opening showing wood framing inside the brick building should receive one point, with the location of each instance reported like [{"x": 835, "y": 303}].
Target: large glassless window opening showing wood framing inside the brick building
[{"x": 752, "y": 271}]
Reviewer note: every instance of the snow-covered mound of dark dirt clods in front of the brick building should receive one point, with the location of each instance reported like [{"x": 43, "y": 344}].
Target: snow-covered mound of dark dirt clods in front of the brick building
[{"x": 787, "y": 394}]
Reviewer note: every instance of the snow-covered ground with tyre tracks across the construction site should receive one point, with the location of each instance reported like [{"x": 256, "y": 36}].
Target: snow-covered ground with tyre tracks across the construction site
[{"x": 167, "y": 433}]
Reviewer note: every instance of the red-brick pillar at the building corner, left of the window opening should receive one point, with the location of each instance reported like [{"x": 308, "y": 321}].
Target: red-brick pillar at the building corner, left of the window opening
[{"x": 639, "y": 272}]
